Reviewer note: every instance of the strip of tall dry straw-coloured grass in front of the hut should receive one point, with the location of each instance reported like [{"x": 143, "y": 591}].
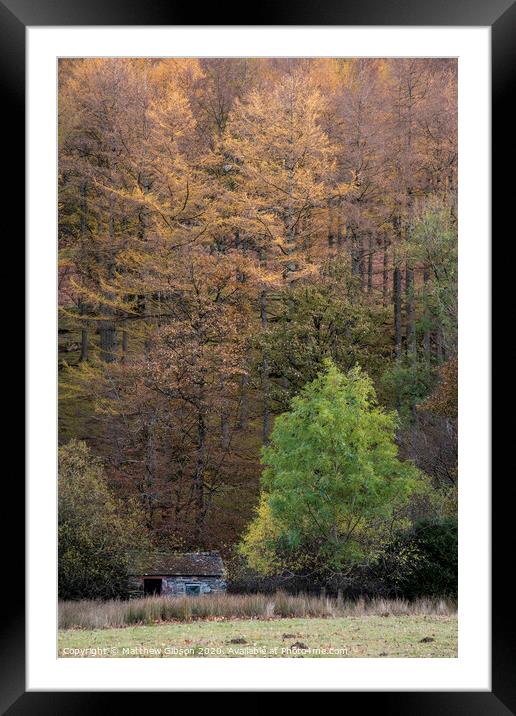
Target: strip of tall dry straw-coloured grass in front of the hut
[{"x": 90, "y": 614}]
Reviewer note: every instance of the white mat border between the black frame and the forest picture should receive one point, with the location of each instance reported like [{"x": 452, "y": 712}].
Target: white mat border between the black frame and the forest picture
[{"x": 471, "y": 670}]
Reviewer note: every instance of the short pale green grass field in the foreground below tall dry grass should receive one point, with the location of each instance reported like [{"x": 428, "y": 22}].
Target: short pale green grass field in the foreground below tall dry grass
[{"x": 362, "y": 636}]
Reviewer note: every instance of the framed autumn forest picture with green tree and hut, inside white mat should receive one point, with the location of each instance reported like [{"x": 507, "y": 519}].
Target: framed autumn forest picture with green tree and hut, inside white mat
[{"x": 257, "y": 357}]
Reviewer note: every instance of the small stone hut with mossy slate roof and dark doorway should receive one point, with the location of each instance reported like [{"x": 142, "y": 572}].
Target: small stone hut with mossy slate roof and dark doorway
[{"x": 180, "y": 574}]
